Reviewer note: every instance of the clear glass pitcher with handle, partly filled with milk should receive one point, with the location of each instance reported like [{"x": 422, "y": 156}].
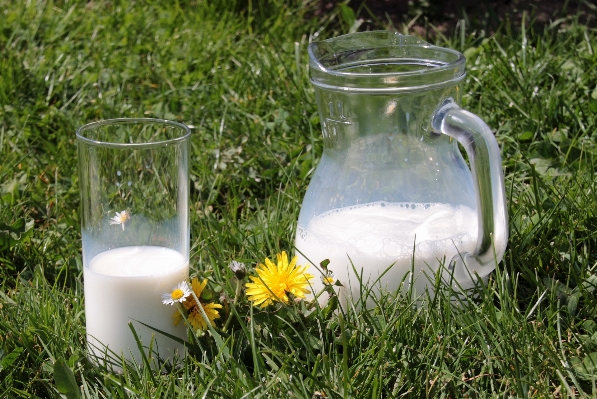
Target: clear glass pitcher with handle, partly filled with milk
[{"x": 392, "y": 203}]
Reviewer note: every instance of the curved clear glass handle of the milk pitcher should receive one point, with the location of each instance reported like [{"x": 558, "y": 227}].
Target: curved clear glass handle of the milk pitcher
[{"x": 488, "y": 179}]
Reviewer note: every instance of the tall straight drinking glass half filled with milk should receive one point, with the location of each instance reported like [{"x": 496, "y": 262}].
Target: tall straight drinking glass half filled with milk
[{"x": 134, "y": 182}]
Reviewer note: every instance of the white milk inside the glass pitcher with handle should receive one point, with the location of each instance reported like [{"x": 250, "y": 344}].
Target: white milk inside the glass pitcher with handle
[{"x": 378, "y": 234}]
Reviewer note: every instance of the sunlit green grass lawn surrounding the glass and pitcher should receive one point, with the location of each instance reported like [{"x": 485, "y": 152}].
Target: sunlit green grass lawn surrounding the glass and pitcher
[{"x": 238, "y": 75}]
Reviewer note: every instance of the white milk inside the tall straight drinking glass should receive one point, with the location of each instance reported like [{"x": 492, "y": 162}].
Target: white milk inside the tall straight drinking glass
[{"x": 126, "y": 284}]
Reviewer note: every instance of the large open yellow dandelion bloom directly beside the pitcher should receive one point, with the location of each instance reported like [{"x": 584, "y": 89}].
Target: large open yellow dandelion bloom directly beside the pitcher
[{"x": 274, "y": 282}]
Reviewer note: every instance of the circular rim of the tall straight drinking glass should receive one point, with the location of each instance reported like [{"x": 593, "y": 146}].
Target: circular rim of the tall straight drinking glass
[{"x": 186, "y": 132}]
